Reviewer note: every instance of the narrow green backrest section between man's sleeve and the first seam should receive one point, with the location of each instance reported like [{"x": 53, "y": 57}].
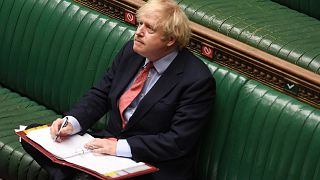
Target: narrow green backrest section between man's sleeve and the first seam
[{"x": 228, "y": 85}]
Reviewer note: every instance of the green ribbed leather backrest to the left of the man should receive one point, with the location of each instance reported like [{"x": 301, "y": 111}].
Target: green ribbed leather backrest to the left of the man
[{"x": 54, "y": 50}]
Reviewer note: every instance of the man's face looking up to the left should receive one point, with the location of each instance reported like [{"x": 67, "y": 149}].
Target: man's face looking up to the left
[{"x": 149, "y": 41}]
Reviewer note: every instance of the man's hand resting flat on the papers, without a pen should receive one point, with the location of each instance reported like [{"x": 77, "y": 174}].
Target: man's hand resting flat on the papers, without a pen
[{"x": 103, "y": 146}]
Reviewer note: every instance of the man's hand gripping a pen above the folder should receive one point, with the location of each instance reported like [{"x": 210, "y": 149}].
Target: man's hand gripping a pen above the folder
[{"x": 65, "y": 131}]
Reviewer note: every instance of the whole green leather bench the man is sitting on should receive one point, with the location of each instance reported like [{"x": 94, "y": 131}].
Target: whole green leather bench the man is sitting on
[{"x": 52, "y": 51}]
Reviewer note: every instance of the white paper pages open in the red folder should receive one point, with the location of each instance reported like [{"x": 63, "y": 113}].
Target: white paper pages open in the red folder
[{"x": 66, "y": 150}]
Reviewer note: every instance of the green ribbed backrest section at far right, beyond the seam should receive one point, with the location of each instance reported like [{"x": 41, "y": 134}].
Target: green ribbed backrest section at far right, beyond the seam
[{"x": 272, "y": 136}]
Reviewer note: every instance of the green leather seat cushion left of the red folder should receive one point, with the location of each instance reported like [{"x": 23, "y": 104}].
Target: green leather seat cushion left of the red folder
[{"x": 16, "y": 110}]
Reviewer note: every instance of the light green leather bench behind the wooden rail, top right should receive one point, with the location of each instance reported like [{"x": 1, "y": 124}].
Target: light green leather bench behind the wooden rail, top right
[{"x": 288, "y": 29}]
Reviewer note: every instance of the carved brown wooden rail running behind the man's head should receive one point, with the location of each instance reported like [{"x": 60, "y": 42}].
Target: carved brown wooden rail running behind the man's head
[{"x": 245, "y": 59}]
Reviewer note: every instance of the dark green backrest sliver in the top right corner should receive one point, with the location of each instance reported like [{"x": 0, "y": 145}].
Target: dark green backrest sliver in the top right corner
[{"x": 310, "y": 7}]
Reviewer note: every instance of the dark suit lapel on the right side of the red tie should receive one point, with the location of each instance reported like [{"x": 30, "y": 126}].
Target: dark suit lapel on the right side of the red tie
[{"x": 166, "y": 82}]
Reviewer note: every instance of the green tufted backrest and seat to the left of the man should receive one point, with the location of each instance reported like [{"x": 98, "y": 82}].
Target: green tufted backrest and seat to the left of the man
[{"x": 51, "y": 51}]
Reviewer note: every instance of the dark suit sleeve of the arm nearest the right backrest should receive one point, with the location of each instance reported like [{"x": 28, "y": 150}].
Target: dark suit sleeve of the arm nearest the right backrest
[{"x": 192, "y": 111}]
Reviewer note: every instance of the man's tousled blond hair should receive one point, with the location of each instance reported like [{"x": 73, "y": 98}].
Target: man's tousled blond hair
[{"x": 172, "y": 20}]
